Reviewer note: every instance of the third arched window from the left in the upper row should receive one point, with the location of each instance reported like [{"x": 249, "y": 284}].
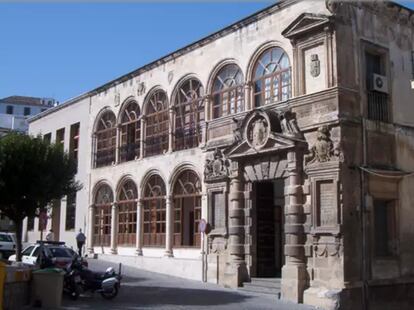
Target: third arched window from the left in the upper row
[{"x": 156, "y": 141}]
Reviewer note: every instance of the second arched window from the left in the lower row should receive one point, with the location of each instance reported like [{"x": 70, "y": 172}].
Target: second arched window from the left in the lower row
[{"x": 127, "y": 214}]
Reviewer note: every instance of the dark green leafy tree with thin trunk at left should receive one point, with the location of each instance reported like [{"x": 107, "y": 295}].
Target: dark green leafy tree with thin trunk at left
[{"x": 33, "y": 173}]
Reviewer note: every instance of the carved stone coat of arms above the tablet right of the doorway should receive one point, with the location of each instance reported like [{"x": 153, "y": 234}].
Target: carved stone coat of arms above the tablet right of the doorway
[{"x": 323, "y": 150}]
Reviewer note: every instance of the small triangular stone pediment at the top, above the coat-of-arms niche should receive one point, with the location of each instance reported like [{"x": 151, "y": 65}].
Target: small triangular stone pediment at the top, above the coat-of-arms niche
[{"x": 306, "y": 22}]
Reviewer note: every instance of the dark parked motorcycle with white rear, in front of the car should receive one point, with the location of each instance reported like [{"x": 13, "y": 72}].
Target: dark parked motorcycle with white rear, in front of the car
[{"x": 107, "y": 283}]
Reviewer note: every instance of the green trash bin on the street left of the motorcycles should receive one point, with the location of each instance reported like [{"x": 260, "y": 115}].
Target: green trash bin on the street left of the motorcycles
[{"x": 47, "y": 287}]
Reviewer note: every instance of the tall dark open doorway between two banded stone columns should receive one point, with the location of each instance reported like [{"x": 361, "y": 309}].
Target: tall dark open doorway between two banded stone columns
[{"x": 268, "y": 231}]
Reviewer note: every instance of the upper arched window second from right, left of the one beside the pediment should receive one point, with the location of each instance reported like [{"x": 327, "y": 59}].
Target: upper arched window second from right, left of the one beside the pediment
[{"x": 227, "y": 92}]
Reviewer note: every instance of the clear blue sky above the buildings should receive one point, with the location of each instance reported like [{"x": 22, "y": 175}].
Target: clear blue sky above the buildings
[{"x": 62, "y": 50}]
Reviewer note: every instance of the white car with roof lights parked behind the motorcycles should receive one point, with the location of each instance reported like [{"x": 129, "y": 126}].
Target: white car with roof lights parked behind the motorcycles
[{"x": 60, "y": 254}]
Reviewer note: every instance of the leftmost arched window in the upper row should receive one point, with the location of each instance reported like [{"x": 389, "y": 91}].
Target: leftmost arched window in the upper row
[{"x": 105, "y": 136}]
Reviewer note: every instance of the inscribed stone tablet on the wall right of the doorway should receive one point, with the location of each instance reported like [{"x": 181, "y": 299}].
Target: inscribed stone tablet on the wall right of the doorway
[{"x": 327, "y": 207}]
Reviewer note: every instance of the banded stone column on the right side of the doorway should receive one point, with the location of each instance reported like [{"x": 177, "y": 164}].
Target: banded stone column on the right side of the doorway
[{"x": 294, "y": 270}]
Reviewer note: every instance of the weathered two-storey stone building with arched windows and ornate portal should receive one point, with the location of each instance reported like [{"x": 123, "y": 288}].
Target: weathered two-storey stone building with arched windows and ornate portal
[{"x": 287, "y": 137}]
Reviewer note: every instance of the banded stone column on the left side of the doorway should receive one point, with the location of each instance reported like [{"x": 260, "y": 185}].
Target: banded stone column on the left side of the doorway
[{"x": 236, "y": 271}]
